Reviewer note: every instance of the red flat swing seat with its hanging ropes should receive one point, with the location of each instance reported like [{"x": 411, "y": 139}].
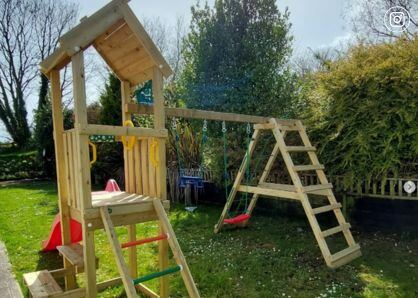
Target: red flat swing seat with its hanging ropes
[{"x": 233, "y": 220}]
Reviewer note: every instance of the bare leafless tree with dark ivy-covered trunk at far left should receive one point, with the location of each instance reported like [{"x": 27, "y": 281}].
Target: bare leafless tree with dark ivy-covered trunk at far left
[{"x": 29, "y": 31}]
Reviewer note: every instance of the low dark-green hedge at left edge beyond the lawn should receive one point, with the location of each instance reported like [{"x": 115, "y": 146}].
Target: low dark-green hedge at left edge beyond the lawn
[{"x": 20, "y": 166}]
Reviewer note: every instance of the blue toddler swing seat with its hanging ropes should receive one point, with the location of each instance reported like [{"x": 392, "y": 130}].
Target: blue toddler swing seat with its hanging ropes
[{"x": 187, "y": 182}]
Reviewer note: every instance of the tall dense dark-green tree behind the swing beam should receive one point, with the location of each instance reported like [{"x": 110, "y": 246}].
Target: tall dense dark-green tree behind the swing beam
[{"x": 236, "y": 60}]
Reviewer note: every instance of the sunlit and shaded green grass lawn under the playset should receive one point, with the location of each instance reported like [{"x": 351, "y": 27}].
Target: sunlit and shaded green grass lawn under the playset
[{"x": 274, "y": 257}]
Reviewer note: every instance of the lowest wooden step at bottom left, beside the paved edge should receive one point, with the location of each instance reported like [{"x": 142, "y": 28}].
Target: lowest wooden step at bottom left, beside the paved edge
[{"x": 41, "y": 284}]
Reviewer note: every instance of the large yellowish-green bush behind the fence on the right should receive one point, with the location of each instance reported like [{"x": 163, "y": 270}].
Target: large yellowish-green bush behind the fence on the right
[{"x": 363, "y": 110}]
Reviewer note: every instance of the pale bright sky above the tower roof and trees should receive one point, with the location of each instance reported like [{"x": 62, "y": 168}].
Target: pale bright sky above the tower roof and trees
[{"x": 315, "y": 24}]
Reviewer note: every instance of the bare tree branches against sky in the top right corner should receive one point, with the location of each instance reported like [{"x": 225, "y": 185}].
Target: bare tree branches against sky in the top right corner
[{"x": 367, "y": 18}]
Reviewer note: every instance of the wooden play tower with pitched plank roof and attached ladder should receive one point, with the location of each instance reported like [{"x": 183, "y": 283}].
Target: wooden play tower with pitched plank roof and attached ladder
[{"x": 122, "y": 42}]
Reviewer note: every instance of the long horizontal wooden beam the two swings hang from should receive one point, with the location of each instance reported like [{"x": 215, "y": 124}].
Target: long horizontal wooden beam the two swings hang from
[{"x": 206, "y": 115}]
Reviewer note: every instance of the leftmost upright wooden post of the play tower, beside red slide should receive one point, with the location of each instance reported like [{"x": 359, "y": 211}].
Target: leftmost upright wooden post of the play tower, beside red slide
[{"x": 58, "y": 122}]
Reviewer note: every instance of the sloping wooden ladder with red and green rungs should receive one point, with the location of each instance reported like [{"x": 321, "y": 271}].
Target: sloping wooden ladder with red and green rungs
[{"x": 167, "y": 234}]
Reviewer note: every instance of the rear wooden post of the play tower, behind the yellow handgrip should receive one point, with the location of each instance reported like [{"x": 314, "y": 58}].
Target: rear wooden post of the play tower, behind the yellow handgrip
[{"x": 129, "y": 165}]
